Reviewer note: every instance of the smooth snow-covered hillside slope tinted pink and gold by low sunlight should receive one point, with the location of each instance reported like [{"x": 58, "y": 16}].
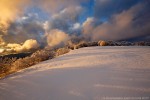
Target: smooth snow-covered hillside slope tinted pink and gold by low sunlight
[{"x": 85, "y": 74}]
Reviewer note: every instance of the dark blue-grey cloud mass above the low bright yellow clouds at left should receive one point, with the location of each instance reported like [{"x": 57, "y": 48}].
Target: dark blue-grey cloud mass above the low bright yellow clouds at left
[{"x": 27, "y": 27}]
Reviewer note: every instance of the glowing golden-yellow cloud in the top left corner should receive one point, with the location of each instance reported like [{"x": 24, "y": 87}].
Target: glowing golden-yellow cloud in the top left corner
[{"x": 10, "y": 10}]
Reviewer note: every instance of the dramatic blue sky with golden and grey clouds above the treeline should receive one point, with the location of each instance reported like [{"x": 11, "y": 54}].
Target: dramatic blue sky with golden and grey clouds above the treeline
[{"x": 93, "y": 20}]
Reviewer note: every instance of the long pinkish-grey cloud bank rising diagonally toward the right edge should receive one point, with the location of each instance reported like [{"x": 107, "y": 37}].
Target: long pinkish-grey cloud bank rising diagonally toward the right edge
[{"x": 128, "y": 24}]
